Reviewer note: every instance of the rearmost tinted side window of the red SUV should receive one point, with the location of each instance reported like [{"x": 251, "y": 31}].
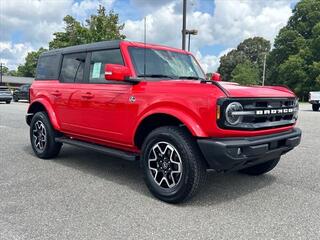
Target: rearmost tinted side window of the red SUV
[{"x": 48, "y": 67}]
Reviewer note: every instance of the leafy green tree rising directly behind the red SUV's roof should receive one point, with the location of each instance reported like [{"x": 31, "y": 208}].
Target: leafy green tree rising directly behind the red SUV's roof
[{"x": 98, "y": 27}]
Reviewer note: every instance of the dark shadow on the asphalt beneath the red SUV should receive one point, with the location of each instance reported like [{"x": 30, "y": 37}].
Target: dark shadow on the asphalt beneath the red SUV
[{"x": 218, "y": 188}]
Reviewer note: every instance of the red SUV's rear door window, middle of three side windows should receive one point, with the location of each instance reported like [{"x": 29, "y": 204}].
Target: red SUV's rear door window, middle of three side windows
[{"x": 73, "y": 67}]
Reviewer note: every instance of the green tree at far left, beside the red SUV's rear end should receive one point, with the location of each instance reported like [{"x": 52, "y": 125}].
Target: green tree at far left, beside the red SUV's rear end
[{"x": 28, "y": 69}]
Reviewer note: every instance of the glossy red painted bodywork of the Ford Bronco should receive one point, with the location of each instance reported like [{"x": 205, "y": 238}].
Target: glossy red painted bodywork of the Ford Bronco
[{"x": 104, "y": 114}]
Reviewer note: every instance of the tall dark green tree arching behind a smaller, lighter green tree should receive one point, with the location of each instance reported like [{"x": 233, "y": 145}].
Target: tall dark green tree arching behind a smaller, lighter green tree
[{"x": 251, "y": 49}]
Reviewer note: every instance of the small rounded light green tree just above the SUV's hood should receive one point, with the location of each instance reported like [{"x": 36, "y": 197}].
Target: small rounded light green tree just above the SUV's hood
[{"x": 246, "y": 73}]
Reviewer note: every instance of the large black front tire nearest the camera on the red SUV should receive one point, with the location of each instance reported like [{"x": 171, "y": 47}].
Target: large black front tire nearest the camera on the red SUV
[{"x": 193, "y": 171}]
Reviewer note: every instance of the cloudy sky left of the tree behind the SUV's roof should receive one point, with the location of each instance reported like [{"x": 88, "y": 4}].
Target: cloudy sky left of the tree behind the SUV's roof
[{"x": 34, "y": 21}]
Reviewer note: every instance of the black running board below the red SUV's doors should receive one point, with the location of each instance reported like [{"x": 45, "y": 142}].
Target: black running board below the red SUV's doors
[{"x": 98, "y": 148}]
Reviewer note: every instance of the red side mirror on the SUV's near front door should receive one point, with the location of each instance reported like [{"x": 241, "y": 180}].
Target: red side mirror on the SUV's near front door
[{"x": 116, "y": 72}]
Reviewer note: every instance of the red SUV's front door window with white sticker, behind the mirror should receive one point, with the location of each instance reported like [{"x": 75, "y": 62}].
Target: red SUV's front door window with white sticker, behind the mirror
[{"x": 99, "y": 59}]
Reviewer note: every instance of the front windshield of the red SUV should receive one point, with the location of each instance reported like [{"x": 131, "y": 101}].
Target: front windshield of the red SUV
[{"x": 165, "y": 64}]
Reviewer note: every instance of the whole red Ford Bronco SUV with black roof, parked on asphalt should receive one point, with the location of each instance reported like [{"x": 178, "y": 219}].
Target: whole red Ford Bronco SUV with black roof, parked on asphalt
[{"x": 154, "y": 104}]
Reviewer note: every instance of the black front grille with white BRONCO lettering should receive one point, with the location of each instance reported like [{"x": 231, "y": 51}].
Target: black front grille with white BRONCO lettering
[{"x": 260, "y": 113}]
